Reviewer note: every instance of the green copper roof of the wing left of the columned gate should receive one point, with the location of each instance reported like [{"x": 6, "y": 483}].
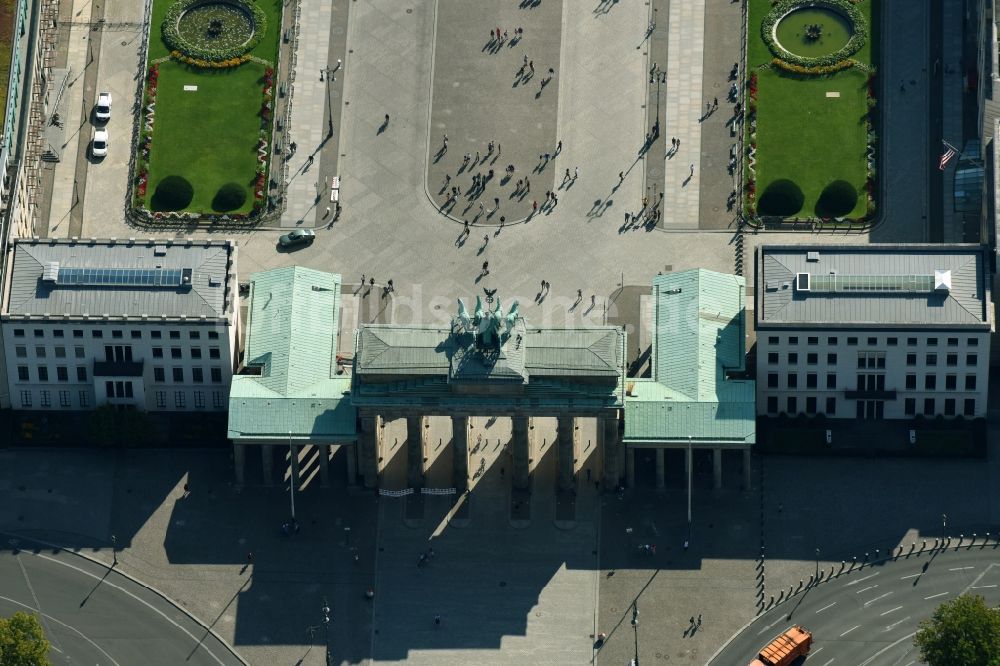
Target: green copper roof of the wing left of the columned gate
[{"x": 292, "y": 337}]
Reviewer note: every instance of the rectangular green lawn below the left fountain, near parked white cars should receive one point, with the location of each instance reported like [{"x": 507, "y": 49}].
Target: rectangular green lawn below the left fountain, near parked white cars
[{"x": 209, "y": 136}]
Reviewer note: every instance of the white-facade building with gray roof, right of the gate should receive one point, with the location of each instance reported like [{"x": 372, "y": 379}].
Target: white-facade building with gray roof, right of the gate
[{"x": 873, "y": 332}]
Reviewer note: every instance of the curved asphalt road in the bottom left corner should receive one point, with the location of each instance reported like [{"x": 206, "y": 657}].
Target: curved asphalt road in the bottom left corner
[{"x": 93, "y": 615}]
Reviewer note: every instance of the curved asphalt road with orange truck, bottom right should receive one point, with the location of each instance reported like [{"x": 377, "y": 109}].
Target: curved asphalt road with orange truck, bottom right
[{"x": 868, "y": 617}]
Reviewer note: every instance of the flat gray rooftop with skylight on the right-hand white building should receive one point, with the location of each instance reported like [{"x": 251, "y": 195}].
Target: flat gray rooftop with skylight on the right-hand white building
[{"x": 876, "y": 285}]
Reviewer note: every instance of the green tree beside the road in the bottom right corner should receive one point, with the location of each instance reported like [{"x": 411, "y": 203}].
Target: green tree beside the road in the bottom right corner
[{"x": 962, "y": 631}]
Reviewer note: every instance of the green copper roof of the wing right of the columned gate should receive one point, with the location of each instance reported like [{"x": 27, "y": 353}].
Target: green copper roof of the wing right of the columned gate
[{"x": 699, "y": 335}]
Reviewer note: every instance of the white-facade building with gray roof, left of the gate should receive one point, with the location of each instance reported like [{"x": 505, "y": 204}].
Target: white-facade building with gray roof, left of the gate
[{"x": 146, "y": 324}]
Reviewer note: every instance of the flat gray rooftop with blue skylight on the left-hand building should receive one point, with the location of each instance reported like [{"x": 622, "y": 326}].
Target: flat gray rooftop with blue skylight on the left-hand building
[{"x": 121, "y": 278}]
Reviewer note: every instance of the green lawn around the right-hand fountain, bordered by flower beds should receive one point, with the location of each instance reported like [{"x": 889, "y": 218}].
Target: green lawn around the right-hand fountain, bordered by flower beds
[{"x": 807, "y": 141}]
